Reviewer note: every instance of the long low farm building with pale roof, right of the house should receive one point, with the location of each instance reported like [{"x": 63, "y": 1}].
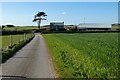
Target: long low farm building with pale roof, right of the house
[{"x": 94, "y": 26}]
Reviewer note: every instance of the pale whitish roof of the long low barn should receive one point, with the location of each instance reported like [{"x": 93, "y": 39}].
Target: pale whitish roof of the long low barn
[{"x": 94, "y": 25}]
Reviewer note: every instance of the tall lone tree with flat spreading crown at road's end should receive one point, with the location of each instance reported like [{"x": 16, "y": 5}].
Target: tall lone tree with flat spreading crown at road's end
[{"x": 39, "y": 17}]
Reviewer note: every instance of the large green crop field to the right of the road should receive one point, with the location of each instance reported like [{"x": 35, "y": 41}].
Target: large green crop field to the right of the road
[{"x": 84, "y": 55}]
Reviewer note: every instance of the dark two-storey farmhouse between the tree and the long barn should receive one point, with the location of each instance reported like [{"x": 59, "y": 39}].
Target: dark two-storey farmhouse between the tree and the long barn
[{"x": 56, "y": 25}]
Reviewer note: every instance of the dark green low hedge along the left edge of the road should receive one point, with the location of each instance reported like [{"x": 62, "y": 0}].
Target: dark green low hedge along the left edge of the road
[{"x": 11, "y": 51}]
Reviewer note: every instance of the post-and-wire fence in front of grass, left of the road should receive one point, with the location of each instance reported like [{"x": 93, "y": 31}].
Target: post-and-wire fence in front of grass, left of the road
[{"x": 11, "y": 40}]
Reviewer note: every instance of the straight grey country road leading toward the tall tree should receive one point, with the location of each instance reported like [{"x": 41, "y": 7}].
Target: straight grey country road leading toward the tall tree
[{"x": 32, "y": 61}]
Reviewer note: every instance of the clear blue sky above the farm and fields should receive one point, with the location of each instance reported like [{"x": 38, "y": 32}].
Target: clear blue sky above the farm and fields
[{"x": 22, "y": 13}]
